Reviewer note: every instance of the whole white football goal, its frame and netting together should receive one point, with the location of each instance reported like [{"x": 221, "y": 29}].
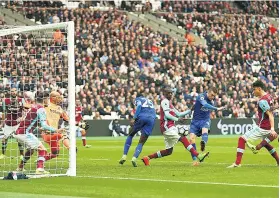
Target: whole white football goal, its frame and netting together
[{"x": 36, "y": 59}]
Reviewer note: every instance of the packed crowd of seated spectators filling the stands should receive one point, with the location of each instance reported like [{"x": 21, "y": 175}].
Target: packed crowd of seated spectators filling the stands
[{"x": 116, "y": 58}]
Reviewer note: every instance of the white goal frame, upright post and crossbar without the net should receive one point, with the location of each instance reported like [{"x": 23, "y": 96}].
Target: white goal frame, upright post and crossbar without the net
[{"x": 69, "y": 27}]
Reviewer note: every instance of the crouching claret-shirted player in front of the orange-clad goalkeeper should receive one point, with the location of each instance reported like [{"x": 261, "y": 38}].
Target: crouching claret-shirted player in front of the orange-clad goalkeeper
[{"x": 36, "y": 114}]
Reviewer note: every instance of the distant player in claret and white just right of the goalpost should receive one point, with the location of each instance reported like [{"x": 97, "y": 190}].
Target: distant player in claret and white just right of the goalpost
[{"x": 79, "y": 120}]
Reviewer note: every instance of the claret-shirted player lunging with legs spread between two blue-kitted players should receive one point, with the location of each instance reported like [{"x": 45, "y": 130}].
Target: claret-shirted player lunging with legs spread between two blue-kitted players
[{"x": 170, "y": 132}]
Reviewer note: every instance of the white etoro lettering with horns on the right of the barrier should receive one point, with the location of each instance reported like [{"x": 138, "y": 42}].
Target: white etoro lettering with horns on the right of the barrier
[{"x": 234, "y": 129}]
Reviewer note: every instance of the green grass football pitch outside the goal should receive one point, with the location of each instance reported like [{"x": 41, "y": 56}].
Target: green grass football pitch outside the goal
[{"x": 99, "y": 174}]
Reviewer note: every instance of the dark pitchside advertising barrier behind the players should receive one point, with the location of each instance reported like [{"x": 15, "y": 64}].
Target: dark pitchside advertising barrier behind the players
[{"x": 218, "y": 127}]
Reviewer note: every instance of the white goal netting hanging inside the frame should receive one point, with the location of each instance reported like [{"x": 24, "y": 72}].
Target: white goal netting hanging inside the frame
[{"x": 32, "y": 61}]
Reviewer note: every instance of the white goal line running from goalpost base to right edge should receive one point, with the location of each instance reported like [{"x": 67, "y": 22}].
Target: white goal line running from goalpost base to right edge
[{"x": 180, "y": 181}]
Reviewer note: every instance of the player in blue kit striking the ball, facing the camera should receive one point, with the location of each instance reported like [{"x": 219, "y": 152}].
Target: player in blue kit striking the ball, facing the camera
[{"x": 201, "y": 118}]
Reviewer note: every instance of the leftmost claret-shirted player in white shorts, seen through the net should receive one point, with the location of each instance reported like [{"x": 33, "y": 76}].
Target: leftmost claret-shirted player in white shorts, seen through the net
[{"x": 13, "y": 108}]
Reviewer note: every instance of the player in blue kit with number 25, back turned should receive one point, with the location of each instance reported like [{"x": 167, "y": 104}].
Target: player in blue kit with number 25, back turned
[{"x": 144, "y": 121}]
